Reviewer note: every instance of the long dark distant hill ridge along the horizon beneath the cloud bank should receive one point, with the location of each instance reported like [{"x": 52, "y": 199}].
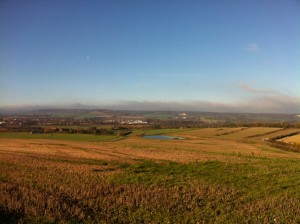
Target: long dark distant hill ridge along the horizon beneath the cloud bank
[{"x": 204, "y": 116}]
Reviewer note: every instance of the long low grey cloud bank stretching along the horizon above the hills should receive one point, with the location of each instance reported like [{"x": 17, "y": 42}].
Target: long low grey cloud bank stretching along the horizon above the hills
[{"x": 257, "y": 104}]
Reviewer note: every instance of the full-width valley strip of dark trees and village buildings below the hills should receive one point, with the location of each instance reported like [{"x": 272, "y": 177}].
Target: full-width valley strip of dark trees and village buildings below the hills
[{"x": 95, "y": 122}]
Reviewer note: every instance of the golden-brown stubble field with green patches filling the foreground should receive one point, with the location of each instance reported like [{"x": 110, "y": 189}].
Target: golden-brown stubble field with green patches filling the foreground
[{"x": 209, "y": 177}]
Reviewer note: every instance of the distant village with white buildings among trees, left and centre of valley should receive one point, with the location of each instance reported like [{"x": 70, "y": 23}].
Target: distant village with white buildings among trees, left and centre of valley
[{"x": 50, "y": 124}]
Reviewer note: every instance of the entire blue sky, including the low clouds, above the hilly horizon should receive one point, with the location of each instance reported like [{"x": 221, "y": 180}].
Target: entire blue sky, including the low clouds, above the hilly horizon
[{"x": 236, "y": 56}]
